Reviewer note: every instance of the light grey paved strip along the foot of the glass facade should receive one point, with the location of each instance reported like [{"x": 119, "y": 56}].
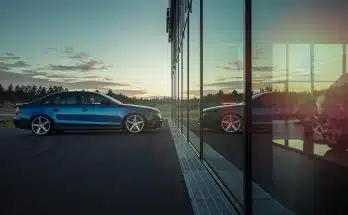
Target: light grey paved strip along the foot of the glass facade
[{"x": 197, "y": 179}]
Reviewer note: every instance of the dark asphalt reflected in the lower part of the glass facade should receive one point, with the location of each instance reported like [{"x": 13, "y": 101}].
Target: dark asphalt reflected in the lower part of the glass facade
[{"x": 306, "y": 184}]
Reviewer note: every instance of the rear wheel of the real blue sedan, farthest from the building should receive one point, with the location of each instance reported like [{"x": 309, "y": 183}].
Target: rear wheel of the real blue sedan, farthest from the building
[{"x": 41, "y": 125}]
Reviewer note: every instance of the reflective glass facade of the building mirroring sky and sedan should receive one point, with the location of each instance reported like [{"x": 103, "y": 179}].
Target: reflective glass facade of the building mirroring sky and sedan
[{"x": 298, "y": 51}]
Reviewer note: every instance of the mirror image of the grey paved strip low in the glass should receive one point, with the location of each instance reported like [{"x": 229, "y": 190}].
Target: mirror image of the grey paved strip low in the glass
[{"x": 232, "y": 168}]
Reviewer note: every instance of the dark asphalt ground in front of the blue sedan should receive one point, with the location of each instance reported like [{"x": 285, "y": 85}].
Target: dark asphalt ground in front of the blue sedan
[{"x": 91, "y": 173}]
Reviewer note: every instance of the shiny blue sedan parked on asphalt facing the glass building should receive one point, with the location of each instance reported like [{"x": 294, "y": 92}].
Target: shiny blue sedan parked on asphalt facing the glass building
[{"x": 84, "y": 110}]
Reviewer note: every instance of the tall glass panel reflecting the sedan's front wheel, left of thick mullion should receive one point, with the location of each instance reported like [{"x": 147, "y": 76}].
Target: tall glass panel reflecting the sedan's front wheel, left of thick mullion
[{"x": 223, "y": 86}]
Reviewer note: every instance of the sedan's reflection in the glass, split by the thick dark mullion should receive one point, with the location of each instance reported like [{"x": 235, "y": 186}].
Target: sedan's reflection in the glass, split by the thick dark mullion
[{"x": 266, "y": 107}]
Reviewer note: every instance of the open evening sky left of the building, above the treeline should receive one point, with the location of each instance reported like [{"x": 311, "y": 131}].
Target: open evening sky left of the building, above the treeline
[{"x": 124, "y": 42}]
